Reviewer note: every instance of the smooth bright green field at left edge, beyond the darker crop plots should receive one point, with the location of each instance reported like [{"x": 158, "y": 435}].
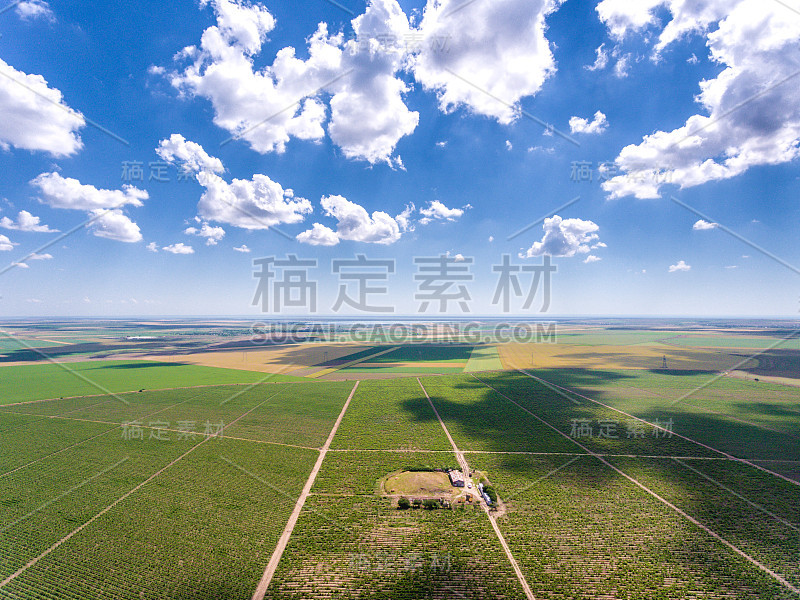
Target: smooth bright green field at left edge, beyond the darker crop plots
[{"x": 39, "y": 382}]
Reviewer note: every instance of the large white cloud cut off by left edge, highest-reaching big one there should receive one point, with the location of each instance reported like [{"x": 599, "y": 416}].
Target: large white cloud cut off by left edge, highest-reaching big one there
[{"x": 35, "y": 116}]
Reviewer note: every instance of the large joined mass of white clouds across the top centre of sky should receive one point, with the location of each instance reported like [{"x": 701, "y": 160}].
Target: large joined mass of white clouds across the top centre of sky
[{"x": 350, "y": 88}]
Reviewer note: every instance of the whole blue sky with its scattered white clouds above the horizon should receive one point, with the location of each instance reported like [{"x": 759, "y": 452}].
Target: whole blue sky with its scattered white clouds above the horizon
[{"x": 453, "y": 126}]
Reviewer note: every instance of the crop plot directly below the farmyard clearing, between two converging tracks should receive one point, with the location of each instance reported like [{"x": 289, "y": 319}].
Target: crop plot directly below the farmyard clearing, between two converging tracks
[{"x": 360, "y": 547}]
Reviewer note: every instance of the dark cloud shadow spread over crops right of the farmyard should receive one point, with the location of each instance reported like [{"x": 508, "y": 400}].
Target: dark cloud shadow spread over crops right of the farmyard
[{"x": 480, "y": 419}]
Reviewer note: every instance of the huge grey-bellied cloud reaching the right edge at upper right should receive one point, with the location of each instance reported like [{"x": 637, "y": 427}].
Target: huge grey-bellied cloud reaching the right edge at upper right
[{"x": 750, "y": 110}]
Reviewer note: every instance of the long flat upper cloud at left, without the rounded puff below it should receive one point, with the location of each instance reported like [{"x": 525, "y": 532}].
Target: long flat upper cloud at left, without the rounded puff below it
[{"x": 60, "y": 192}]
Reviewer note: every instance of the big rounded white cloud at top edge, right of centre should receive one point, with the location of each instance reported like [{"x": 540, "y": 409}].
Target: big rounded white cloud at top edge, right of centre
[{"x": 499, "y": 47}]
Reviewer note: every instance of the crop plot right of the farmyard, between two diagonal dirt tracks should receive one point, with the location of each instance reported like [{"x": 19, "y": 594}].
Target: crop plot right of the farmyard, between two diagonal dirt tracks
[{"x": 580, "y": 530}]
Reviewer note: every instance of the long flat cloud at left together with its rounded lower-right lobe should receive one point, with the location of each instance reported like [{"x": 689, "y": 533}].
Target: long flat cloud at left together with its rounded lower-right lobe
[{"x": 104, "y": 206}]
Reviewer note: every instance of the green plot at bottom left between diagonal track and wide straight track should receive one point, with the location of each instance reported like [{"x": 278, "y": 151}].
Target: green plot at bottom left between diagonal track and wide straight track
[{"x": 205, "y": 528}]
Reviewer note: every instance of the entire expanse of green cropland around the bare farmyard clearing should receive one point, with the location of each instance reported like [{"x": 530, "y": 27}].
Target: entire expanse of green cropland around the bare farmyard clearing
[{"x": 105, "y": 498}]
